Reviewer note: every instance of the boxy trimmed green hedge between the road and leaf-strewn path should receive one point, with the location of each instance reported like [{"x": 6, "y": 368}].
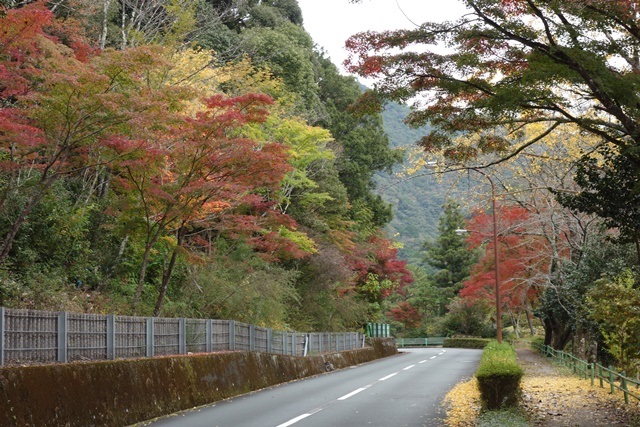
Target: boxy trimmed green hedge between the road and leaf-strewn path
[{"x": 499, "y": 376}]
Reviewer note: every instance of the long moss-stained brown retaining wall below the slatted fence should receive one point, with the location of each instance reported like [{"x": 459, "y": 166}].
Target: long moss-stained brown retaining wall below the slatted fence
[{"x": 124, "y": 392}]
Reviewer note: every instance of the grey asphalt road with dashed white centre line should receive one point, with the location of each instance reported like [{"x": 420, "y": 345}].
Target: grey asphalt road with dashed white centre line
[{"x": 403, "y": 390}]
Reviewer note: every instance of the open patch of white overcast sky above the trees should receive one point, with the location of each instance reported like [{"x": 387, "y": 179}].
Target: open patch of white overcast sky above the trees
[{"x": 331, "y": 22}]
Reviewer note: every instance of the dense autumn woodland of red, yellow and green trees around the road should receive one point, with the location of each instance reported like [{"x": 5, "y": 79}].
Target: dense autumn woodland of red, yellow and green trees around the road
[{"x": 202, "y": 158}]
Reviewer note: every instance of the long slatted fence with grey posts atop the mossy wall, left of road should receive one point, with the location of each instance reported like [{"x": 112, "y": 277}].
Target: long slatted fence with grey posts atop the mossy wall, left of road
[{"x": 32, "y": 336}]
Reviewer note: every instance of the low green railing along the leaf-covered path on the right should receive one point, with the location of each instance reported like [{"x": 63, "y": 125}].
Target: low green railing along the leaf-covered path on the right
[{"x": 615, "y": 380}]
